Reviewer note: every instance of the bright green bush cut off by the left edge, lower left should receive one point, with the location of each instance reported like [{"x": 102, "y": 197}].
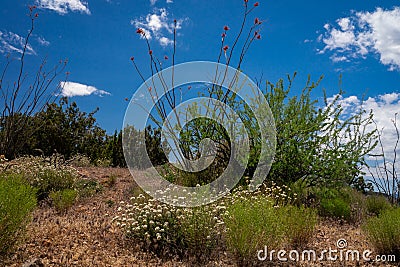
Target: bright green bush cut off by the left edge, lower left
[{"x": 17, "y": 201}]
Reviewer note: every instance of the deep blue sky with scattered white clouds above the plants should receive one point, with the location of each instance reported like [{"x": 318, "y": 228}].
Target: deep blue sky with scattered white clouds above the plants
[{"x": 358, "y": 39}]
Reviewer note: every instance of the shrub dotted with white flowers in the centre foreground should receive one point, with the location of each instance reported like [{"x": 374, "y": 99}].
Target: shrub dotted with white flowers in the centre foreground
[{"x": 171, "y": 231}]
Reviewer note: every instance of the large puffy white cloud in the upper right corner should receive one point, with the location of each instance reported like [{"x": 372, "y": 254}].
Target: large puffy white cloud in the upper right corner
[{"x": 365, "y": 33}]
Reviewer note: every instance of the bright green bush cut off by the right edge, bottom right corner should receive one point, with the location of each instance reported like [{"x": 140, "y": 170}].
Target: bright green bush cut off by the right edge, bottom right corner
[{"x": 384, "y": 232}]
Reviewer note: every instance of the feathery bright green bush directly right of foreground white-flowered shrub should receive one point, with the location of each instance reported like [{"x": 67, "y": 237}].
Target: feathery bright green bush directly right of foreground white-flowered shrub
[{"x": 253, "y": 223}]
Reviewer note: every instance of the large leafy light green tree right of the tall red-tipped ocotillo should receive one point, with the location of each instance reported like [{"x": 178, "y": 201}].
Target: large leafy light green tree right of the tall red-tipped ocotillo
[{"x": 317, "y": 145}]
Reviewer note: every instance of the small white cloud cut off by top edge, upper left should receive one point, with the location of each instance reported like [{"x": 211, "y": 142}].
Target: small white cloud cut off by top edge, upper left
[{"x": 64, "y": 6}]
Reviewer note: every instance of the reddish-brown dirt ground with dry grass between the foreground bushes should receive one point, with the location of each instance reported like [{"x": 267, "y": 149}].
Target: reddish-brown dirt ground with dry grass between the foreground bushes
[{"x": 85, "y": 236}]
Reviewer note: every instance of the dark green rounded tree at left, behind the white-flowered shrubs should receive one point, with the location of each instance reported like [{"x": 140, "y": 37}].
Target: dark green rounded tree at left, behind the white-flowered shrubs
[{"x": 65, "y": 129}]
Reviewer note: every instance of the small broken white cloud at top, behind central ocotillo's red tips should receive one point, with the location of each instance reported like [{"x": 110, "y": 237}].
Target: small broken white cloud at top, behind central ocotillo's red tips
[{"x": 158, "y": 25}]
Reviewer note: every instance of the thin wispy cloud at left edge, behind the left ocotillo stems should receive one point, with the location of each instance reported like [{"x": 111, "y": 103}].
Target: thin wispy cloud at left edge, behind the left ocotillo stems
[{"x": 11, "y": 42}]
